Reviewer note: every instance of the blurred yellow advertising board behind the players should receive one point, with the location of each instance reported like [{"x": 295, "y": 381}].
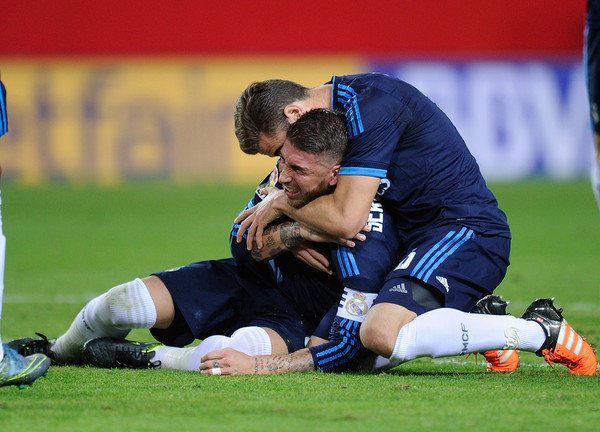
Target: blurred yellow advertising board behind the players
[{"x": 109, "y": 120}]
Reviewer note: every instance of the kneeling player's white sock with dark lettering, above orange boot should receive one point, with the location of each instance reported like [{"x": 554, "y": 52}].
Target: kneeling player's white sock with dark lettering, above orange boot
[{"x": 447, "y": 332}]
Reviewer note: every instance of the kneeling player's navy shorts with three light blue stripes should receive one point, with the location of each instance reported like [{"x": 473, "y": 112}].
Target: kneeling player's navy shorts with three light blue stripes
[{"x": 450, "y": 266}]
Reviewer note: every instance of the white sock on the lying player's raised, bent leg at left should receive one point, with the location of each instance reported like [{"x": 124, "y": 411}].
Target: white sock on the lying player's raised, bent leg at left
[{"x": 111, "y": 314}]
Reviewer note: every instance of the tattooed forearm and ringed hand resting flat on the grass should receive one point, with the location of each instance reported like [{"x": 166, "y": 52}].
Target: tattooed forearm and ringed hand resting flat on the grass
[{"x": 232, "y": 362}]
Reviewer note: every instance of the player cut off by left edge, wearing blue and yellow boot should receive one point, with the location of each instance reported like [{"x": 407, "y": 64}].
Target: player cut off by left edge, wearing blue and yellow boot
[{"x": 15, "y": 369}]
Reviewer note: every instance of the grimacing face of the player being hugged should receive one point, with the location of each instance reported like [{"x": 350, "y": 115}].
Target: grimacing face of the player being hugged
[{"x": 304, "y": 176}]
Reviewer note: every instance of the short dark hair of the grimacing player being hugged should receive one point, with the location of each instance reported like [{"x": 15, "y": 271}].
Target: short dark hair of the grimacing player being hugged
[{"x": 321, "y": 132}]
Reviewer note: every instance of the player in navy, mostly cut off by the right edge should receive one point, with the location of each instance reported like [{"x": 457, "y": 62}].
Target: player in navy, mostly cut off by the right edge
[{"x": 592, "y": 68}]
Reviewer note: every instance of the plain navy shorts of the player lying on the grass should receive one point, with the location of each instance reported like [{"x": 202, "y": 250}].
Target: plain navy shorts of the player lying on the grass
[{"x": 216, "y": 298}]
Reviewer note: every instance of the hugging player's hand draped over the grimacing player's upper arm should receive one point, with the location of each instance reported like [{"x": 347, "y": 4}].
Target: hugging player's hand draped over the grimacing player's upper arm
[{"x": 262, "y": 215}]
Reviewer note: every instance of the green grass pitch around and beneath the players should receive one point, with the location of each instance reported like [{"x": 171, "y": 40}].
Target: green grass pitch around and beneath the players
[{"x": 68, "y": 243}]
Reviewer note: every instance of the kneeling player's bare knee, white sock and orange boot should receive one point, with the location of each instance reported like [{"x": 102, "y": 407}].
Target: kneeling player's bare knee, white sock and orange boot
[{"x": 448, "y": 332}]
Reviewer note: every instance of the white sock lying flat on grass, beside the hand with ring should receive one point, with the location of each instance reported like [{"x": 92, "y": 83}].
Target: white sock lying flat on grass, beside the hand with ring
[{"x": 249, "y": 340}]
